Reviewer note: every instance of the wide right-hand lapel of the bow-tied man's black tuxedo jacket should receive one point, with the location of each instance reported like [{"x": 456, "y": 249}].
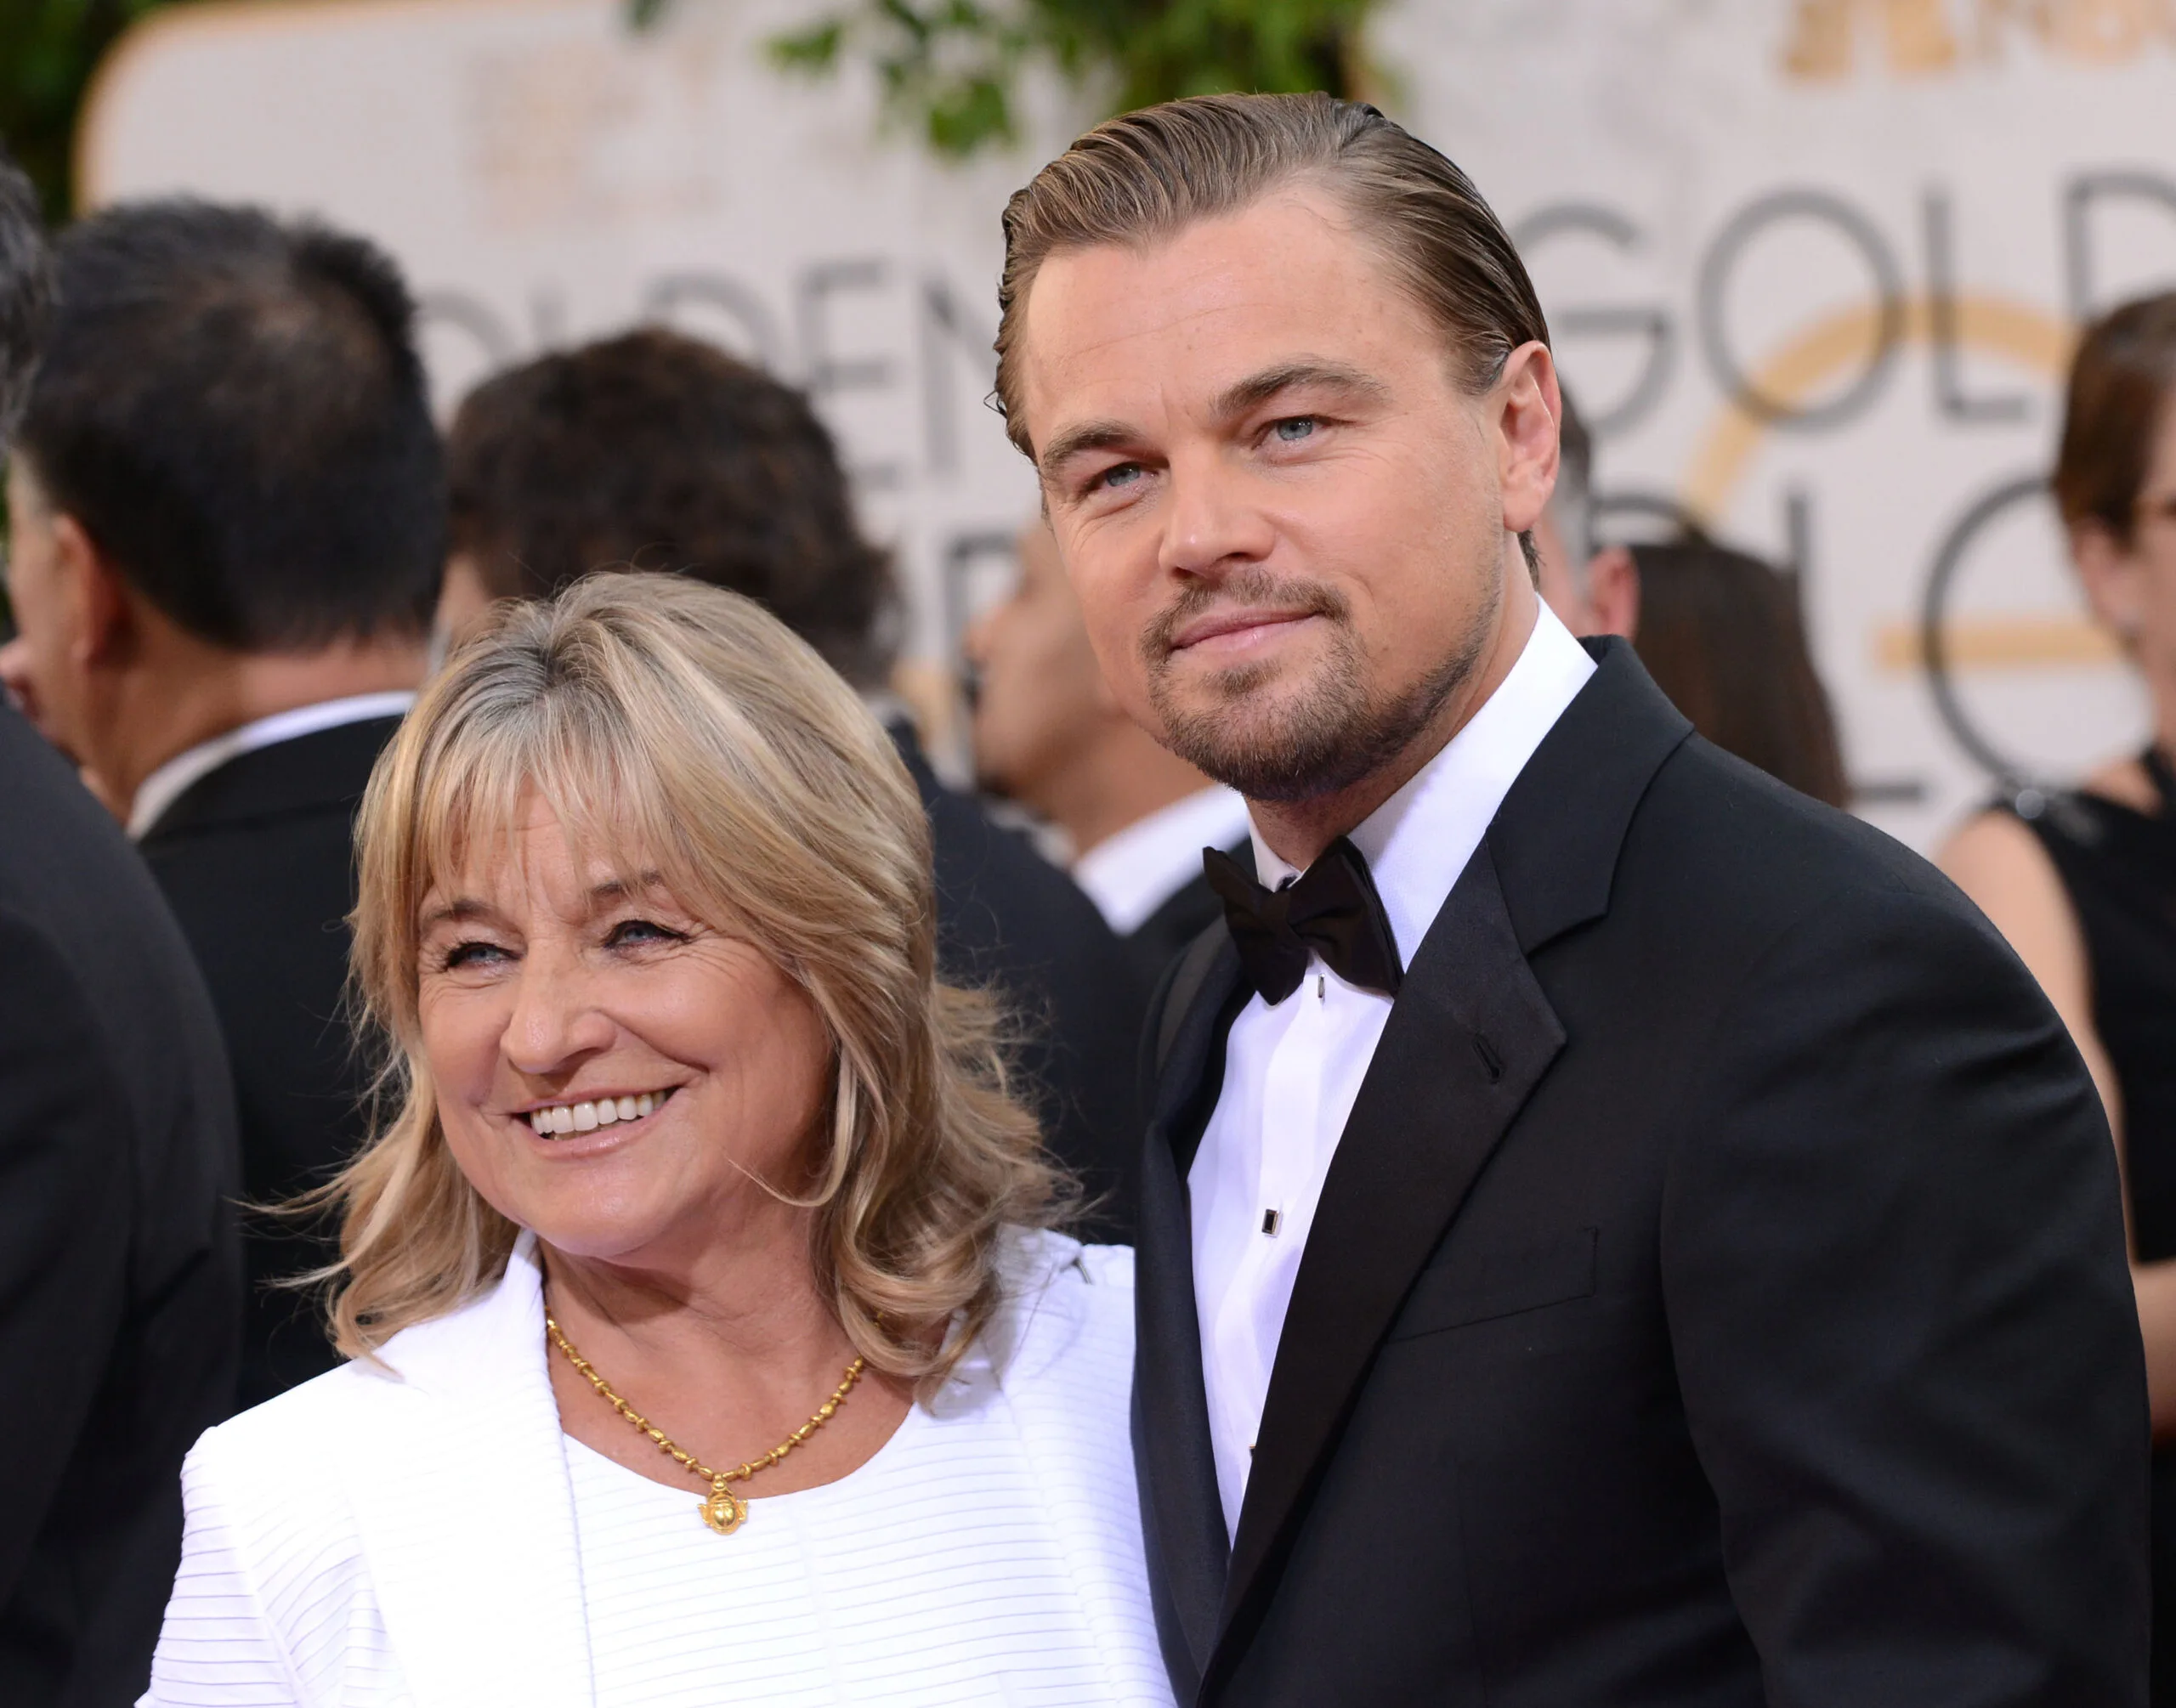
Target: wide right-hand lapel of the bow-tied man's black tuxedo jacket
[{"x": 1468, "y": 1041}]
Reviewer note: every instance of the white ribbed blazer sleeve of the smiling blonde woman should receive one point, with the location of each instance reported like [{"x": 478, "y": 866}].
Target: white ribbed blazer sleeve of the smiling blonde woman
[{"x": 219, "y": 1646}]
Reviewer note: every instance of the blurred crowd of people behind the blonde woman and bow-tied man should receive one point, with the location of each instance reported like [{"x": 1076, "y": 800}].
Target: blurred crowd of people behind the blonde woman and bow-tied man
[{"x": 238, "y": 545}]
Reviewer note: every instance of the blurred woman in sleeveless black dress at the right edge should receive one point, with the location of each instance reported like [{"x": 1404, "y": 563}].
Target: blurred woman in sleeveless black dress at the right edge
[{"x": 2084, "y": 882}]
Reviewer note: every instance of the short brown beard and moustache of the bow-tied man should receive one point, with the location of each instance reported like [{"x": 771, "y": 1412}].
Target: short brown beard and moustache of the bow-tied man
[{"x": 1331, "y": 732}]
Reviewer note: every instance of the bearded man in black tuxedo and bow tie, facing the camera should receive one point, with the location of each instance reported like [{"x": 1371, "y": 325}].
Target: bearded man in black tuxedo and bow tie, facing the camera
[{"x": 1614, "y": 1230}]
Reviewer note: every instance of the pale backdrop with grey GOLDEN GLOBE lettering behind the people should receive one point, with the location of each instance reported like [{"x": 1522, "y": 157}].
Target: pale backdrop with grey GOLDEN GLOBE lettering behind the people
[{"x": 1814, "y": 271}]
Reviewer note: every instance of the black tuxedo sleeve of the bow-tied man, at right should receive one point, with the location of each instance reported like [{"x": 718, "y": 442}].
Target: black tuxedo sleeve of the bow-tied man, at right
[{"x": 1903, "y": 1320}]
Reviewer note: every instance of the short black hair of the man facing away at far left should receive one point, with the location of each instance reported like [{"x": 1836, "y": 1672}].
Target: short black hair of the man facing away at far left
[{"x": 234, "y": 410}]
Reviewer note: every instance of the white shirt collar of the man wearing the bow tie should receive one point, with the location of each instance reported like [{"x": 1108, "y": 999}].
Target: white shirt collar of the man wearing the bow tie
[{"x": 1420, "y": 841}]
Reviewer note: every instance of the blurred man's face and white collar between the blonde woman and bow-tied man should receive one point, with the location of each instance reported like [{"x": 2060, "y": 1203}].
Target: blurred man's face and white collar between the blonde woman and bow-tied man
[{"x": 1054, "y": 739}]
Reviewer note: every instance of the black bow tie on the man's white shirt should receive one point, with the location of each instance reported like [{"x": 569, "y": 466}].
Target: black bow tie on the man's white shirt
[{"x": 1328, "y": 911}]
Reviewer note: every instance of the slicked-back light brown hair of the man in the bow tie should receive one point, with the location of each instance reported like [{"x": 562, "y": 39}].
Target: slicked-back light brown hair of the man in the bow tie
[{"x": 1148, "y": 175}]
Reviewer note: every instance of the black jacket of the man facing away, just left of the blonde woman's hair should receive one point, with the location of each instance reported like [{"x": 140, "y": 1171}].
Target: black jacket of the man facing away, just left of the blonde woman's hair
[{"x": 260, "y": 867}]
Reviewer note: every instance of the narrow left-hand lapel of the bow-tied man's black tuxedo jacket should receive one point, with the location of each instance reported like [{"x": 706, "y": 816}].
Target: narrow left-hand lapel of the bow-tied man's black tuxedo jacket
[{"x": 1183, "y": 1515}]
